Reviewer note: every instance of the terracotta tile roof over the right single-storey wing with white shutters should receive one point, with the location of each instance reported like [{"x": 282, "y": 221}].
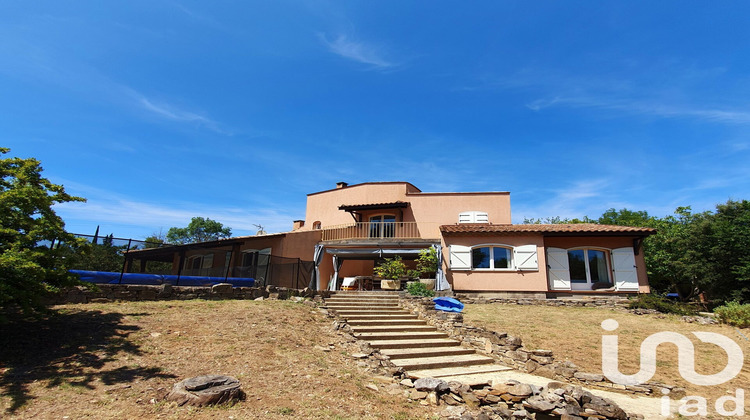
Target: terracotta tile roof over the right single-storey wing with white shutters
[{"x": 578, "y": 228}]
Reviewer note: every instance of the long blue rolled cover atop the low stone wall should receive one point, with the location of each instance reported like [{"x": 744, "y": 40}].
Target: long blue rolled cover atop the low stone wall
[{"x": 106, "y": 277}]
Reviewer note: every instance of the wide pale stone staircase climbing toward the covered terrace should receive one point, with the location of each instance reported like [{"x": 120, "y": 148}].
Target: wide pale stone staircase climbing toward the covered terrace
[{"x": 420, "y": 349}]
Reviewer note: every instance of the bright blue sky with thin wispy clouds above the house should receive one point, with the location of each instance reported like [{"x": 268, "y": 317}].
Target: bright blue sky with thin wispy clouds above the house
[{"x": 157, "y": 111}]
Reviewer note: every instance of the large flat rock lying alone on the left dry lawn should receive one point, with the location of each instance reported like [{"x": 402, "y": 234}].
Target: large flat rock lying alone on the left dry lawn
[{"x": 206, "y": 390}]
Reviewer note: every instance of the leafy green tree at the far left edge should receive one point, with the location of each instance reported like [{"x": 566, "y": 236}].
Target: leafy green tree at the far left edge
[{"x": 29, "y": 266}]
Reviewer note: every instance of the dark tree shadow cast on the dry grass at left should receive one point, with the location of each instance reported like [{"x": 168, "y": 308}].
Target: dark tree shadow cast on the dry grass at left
[{"x": 66, "y": 348}]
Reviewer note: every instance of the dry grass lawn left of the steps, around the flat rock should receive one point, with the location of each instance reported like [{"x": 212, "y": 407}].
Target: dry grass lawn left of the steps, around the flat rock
[{"x": 117, "y": 360}]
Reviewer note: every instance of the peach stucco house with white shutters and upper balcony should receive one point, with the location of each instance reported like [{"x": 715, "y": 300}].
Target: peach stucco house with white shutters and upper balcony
[{"x": 349, "y": 229}]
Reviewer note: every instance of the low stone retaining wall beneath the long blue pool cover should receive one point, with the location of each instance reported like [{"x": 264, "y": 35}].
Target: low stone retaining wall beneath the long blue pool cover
[{"x": 131, "y": 292}]
